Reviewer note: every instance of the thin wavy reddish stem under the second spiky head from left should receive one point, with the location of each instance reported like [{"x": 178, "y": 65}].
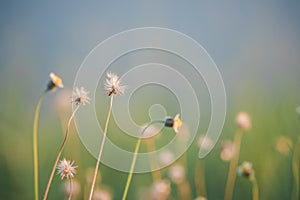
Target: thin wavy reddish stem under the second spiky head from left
[{"x": 59, "y": 154}]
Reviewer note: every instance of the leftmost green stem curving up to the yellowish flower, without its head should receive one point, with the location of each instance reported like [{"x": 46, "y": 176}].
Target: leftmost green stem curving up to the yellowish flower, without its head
[{"x": 35, "y": 146}]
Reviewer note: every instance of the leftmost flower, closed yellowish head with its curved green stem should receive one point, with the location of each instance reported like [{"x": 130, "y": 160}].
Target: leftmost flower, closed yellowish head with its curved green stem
[{"x": 54, "y": 82}]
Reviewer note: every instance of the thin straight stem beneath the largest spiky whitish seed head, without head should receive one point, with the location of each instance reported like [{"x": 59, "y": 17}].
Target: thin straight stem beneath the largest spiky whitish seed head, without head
[{"x": 101, "y": 149}]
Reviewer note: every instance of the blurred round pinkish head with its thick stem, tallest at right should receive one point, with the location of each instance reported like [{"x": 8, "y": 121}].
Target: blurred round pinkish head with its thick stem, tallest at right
[{"x": 244, "y": 124}]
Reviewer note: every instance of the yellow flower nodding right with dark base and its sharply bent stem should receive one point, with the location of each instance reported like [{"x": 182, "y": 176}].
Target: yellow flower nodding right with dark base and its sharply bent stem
[{"x": 175, "y": 123}]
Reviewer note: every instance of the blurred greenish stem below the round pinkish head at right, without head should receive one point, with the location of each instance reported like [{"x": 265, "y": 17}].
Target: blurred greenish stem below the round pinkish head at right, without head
[{"x": 233, "y": 165}]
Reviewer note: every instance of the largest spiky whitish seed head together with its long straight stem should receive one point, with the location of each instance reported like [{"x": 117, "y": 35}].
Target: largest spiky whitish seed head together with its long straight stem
[{"x": 112, "y": 87}]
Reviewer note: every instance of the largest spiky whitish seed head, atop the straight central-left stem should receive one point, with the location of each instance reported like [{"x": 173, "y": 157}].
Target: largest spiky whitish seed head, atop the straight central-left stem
[{"x": 112, "y": 85}]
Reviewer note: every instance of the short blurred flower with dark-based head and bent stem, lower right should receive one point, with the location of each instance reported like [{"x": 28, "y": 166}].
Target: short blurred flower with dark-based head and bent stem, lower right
[{"x": 246, "y": 170}]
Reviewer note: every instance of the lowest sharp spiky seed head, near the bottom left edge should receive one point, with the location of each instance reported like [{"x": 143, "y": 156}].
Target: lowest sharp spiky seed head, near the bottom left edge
[{"x": 66, "y": 169}]
